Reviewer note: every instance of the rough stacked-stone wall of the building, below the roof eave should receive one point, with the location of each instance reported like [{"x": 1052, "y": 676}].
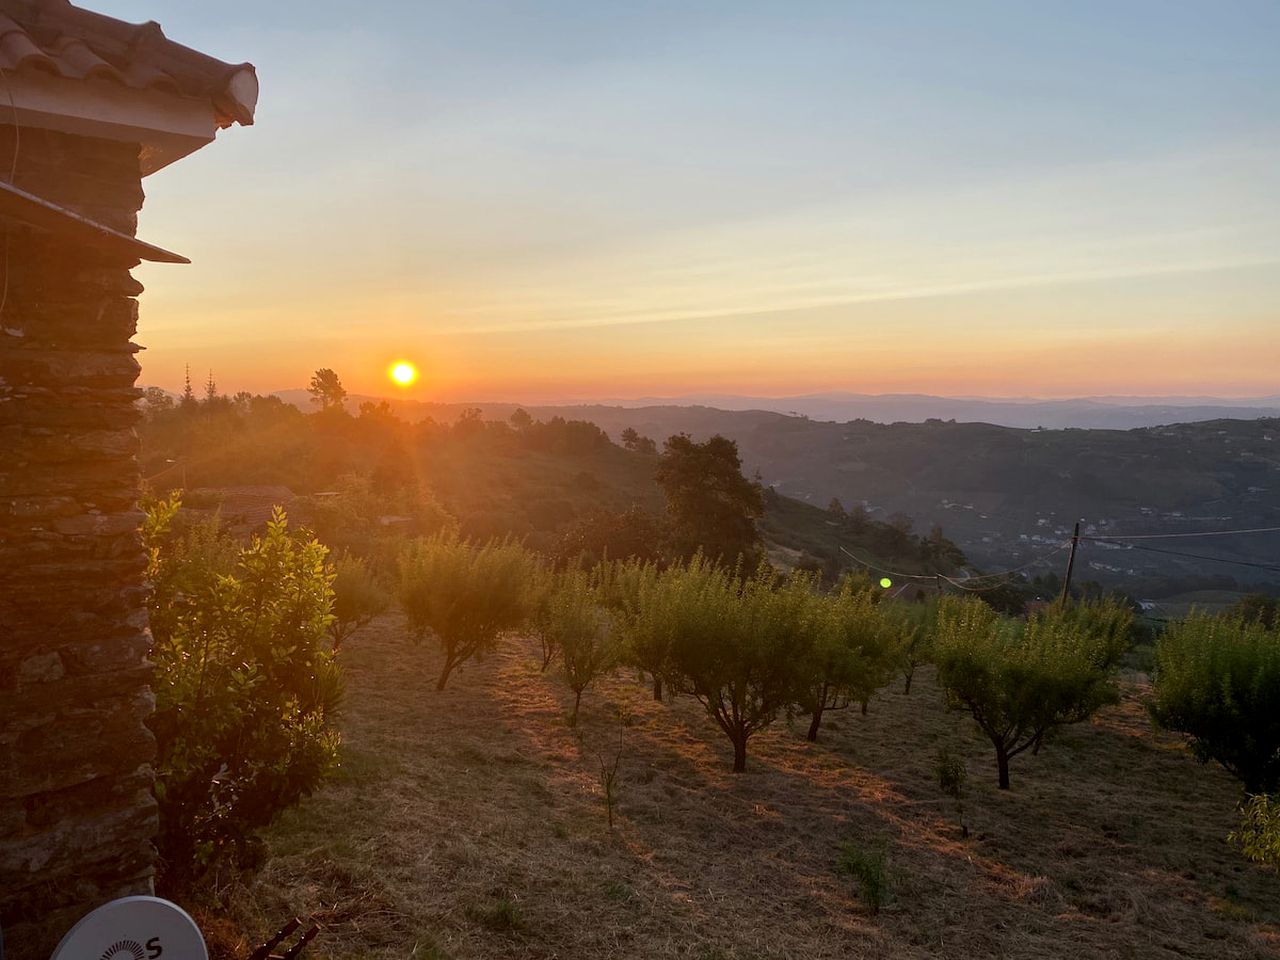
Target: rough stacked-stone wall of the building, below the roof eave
[{"x": 77, "y": 812}]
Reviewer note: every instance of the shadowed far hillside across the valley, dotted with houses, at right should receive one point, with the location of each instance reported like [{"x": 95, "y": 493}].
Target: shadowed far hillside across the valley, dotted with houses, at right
[{"x": 1009, "y": 496}]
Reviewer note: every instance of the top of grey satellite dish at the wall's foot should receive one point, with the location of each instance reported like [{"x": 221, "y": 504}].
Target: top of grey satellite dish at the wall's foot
[{"x": 135, "y": 929}]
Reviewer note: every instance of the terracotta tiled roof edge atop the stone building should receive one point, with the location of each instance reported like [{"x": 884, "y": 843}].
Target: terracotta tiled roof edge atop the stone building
[{"x": 60, "y": 39}]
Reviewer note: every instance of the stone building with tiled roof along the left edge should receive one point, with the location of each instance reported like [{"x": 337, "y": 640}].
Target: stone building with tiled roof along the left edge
[{"x": 89, "y": 107}]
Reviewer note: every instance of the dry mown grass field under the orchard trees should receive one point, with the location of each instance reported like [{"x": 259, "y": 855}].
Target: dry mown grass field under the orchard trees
[{"x": 472, "y": 825}]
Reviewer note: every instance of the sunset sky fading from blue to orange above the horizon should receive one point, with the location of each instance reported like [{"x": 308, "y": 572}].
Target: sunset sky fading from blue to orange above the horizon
[{"x": 548, "y": 202}]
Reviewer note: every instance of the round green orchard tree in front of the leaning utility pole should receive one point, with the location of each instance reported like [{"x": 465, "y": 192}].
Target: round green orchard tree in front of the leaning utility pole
[{"x": 1021, "y": 682}]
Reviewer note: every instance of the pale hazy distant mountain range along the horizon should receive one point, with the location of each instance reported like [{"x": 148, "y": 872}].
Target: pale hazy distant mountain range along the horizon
[{"x": 1087, "y": 413}]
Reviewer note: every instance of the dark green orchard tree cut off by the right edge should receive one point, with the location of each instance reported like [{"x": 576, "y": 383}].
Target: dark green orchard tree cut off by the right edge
[{"x": 1218, "y": 680}]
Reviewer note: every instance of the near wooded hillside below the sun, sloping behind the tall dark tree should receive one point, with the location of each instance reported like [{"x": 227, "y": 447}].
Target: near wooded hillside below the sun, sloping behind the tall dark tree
[{"x": 537, "y": 483}]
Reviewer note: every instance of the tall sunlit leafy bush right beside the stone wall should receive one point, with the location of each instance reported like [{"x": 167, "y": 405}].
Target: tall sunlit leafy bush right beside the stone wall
[{"x": 246, "y": 692}]
